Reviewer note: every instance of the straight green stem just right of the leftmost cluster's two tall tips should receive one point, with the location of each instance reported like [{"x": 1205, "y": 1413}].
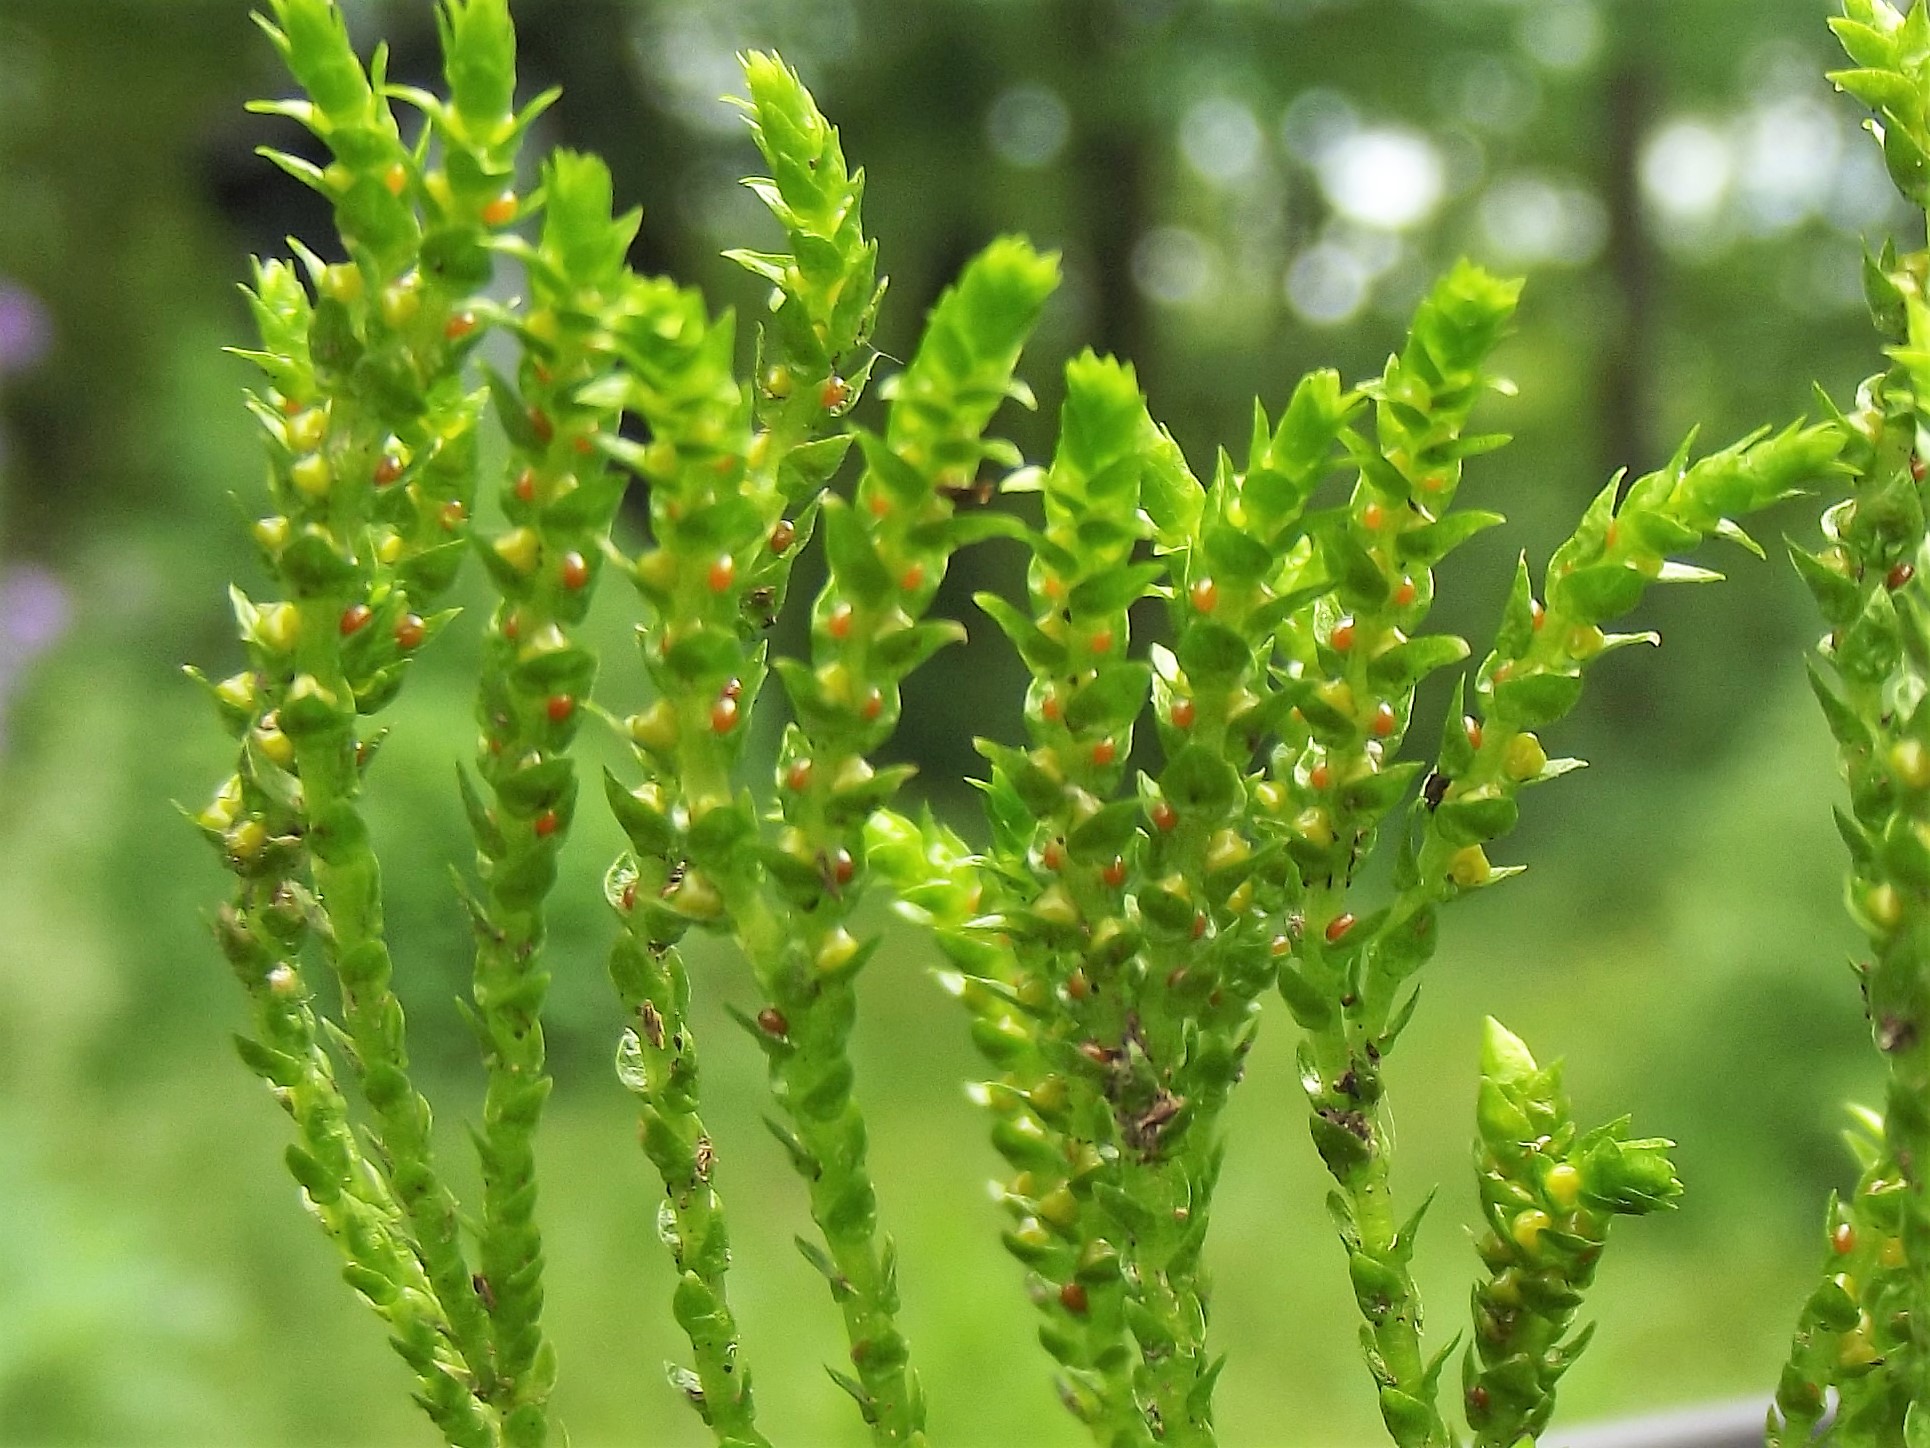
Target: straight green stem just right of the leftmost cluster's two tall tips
[{"x": 561, "y": 497}]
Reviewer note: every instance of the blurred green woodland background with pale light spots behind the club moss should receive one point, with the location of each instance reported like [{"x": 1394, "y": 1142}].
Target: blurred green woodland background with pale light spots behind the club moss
[{"x": 1242, "y": 188}]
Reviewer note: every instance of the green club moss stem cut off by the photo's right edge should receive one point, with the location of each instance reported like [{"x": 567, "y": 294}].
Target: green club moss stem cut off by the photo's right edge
[{"x": 1863, "y": 1337}]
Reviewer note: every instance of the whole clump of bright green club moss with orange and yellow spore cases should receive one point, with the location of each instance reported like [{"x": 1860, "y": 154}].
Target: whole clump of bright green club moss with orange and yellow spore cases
[{"x": 1120, "y": 933}]
